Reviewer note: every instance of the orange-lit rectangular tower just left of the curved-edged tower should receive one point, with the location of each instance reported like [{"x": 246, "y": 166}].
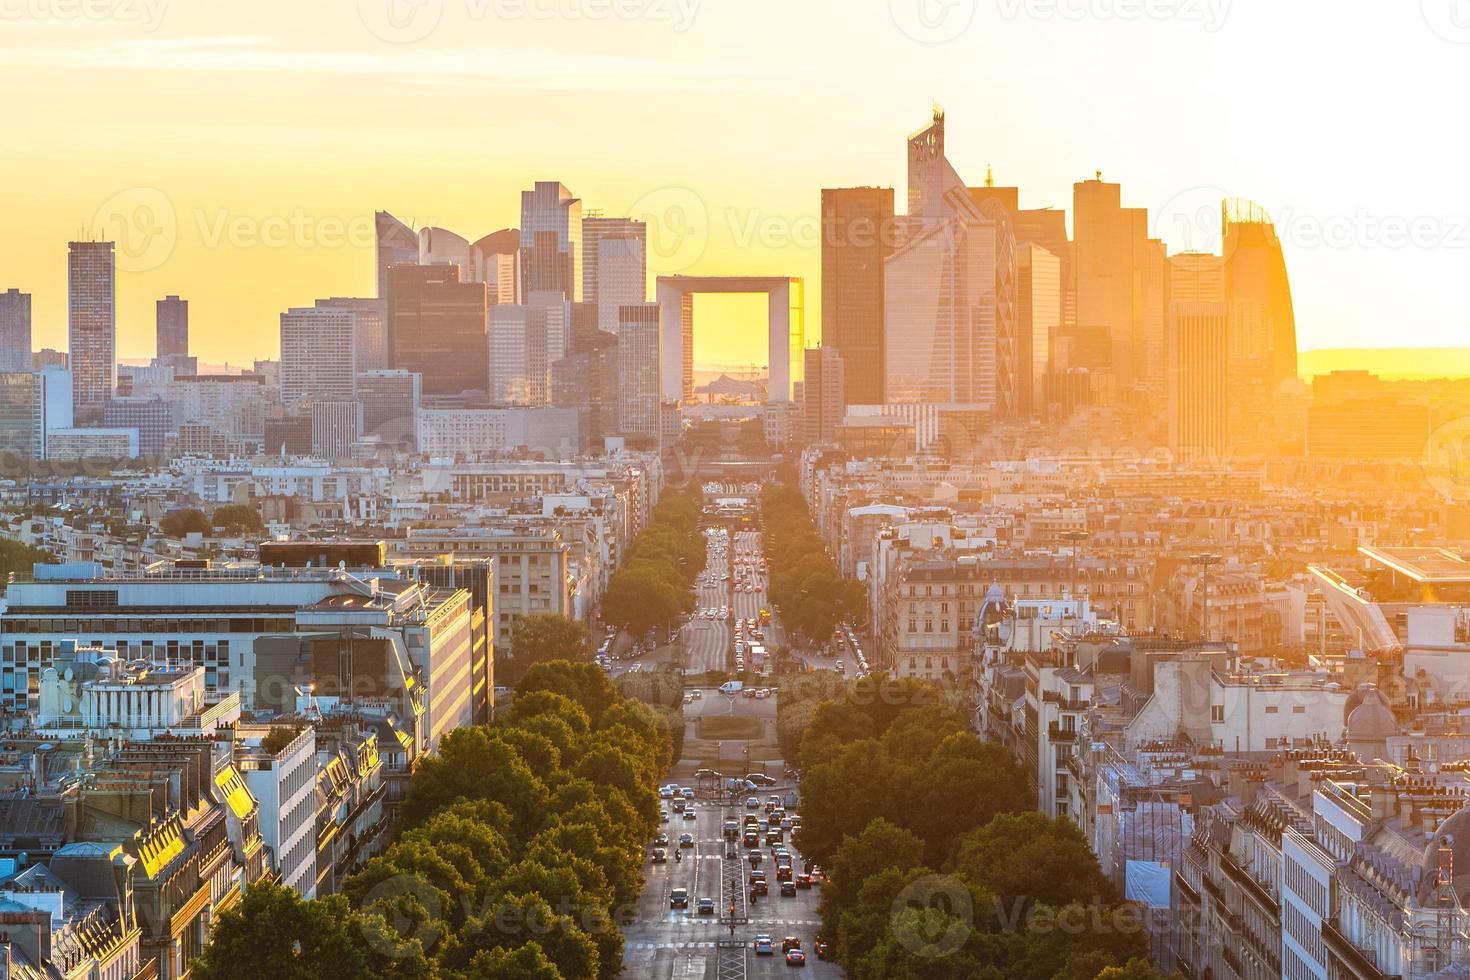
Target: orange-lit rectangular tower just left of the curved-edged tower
[{"x": 1197, "y": 380}]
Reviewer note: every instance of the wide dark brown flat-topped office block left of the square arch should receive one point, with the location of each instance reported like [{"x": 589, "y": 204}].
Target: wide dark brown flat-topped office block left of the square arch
[{"x": 437, "y": 328}]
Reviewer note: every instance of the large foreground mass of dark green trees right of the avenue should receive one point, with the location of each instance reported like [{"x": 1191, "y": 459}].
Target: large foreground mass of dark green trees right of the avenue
[{"x": 939, "y": 866}]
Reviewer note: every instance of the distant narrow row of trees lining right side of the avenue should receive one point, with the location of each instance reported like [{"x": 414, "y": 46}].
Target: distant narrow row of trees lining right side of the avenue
[{"x": 806, "y": 587}]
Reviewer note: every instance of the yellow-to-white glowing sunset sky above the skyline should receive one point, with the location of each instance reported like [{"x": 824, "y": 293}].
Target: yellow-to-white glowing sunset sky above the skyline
[{"x": 245, "y": 146}]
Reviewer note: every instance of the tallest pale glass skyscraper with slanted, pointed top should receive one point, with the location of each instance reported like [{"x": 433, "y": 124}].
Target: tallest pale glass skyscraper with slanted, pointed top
[{"x": 950, "y": 293}]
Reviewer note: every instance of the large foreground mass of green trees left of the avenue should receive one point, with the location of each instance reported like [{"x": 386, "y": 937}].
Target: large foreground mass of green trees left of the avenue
[{"x": 518, "y": 851}]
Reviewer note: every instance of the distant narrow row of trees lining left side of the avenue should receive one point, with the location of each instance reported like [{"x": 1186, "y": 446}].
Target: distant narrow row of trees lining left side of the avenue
[{"x": 652, "y": 588}]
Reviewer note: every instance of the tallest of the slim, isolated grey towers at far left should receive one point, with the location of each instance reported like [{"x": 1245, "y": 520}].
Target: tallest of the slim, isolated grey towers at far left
[{"x": 92, "y": 295}]
